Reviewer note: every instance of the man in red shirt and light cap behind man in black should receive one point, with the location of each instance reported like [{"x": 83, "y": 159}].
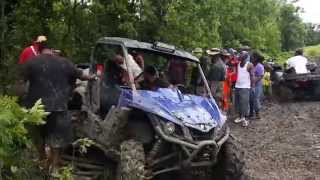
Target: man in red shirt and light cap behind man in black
[{"x": 33, "y": 50}]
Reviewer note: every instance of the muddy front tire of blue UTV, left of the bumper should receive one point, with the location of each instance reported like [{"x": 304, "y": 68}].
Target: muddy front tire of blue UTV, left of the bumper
[{"x": 132, "y": 160}]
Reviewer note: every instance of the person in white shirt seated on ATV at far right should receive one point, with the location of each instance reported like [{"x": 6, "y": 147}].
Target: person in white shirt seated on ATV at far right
[{"x": 298, "y": 63}]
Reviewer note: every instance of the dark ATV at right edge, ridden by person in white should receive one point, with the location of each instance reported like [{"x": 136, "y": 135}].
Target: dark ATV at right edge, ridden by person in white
[{"x": 288, "y": 86}]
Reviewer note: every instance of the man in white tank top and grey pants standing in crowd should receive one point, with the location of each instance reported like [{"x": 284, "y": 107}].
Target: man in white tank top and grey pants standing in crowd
[{"x": 242, "y": 88}]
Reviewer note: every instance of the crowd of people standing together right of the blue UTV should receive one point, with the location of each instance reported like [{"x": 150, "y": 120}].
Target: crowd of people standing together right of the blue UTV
[{"x": 235, "y": 79}]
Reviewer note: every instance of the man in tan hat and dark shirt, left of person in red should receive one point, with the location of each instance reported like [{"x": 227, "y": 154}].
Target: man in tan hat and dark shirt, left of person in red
[{"x": 217, "y": 74}]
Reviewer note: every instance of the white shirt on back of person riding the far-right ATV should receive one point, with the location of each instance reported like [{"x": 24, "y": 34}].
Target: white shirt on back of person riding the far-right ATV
[{"x": 299, "y": 63}]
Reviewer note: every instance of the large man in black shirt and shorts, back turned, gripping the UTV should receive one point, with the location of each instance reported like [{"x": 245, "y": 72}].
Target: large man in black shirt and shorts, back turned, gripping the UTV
[{"x": 51, "y": 78}]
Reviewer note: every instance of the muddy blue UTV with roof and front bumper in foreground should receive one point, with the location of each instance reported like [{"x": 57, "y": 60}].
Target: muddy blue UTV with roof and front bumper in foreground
[{"x": 141, "y": 134}]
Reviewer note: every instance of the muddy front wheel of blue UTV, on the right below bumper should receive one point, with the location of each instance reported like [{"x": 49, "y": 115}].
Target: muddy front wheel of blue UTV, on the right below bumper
[{"x": 230, "y": 164}]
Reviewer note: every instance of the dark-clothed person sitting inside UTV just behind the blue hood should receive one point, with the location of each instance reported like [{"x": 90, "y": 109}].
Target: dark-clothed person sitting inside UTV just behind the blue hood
[{"x": 151, "y": 80}]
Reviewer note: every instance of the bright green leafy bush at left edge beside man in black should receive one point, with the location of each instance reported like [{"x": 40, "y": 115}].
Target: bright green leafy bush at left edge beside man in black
[{"x": 13, "y": 132}]
